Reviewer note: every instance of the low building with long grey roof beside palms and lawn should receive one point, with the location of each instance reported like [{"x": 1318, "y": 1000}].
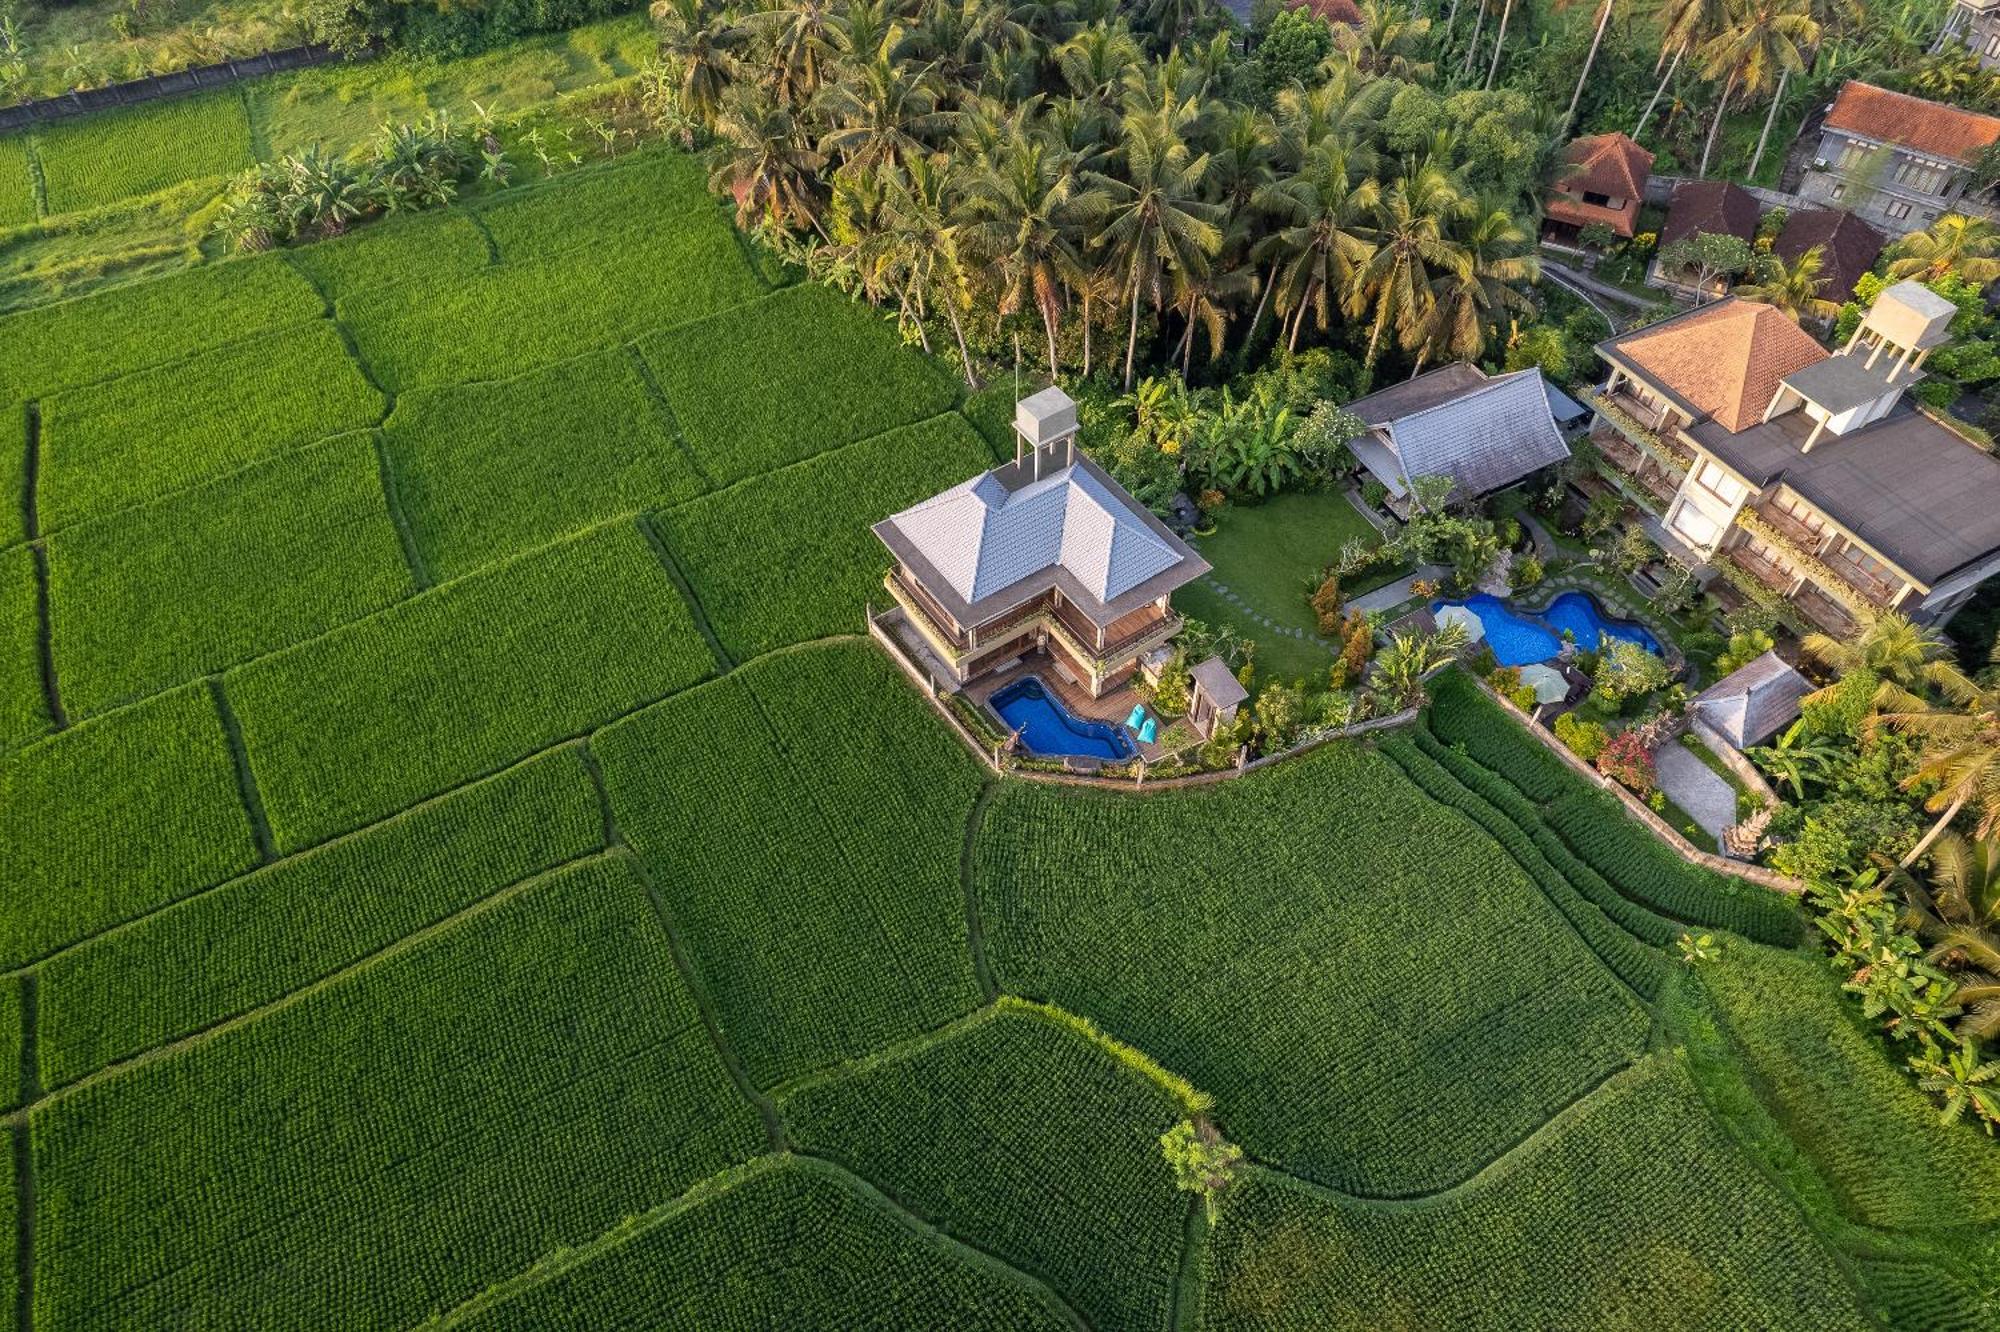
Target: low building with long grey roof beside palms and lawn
[{"x": 1455, "y": 421}]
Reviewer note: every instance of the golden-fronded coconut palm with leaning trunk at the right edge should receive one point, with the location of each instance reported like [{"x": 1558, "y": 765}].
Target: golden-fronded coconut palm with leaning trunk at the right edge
[{"x": 1959, "y": 749}]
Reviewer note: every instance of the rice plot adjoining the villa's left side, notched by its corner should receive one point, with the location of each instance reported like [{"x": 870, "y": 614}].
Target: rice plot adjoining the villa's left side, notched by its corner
[{"x": 789, "y": 557}]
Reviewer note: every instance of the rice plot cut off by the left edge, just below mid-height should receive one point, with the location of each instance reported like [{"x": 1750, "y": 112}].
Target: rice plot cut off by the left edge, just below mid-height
[{"x": 113, "y": 819}]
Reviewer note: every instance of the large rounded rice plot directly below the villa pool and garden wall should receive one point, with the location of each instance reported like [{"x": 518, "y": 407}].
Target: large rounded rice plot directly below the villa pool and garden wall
[{"x": 1257, "y": 935}]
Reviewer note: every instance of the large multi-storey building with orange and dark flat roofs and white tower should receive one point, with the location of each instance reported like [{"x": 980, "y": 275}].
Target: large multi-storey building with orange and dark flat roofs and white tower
[{"x": 1807, "y": 471}]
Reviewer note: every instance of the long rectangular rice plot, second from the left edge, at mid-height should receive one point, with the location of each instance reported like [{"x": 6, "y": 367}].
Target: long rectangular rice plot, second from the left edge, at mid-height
[{"x": 463, "y": 681}]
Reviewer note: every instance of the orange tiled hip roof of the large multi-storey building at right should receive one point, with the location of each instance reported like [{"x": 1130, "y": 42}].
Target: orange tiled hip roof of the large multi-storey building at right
[{"x": 1725, "y": 359}]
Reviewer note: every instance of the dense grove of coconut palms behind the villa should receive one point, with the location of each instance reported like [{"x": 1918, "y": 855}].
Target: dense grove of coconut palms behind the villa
[{"x": 1103, "y": 181}]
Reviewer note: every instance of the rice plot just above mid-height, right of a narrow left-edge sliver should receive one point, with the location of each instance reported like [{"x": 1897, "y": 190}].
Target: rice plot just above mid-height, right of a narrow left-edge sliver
[{"x": 213, "y": 577}]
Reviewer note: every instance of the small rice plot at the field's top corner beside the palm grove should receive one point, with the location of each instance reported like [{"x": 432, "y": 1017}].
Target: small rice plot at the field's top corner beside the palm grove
[{"x": 601, "y": 209}]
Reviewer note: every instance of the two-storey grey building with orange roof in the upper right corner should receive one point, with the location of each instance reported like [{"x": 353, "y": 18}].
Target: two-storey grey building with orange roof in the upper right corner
[{"x": 1899, "y": 161}]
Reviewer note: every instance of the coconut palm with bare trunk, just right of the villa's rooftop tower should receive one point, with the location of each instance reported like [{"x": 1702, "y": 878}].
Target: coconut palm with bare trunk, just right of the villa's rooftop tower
[{"x": 1157, "y": 217}]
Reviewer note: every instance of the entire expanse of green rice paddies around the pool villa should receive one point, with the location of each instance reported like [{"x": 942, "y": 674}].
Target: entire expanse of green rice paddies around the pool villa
[{"x": 463, "y": 865}]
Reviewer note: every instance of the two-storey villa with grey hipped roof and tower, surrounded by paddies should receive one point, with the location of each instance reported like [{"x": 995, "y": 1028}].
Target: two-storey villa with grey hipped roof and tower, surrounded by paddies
[{"x": 1043, "y": 557}]
